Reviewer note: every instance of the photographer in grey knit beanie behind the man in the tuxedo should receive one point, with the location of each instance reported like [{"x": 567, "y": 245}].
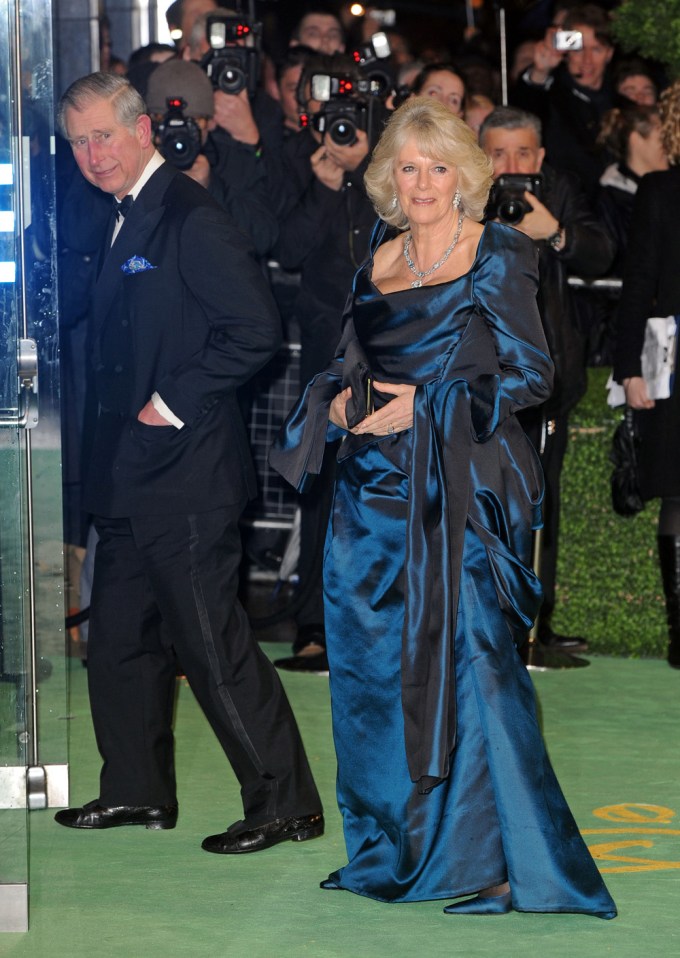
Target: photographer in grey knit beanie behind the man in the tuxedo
[{"x": 182, "y": 136}]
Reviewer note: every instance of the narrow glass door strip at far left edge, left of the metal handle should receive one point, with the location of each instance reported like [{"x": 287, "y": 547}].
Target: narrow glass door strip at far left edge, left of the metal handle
[{"x": 13, "y": 677}]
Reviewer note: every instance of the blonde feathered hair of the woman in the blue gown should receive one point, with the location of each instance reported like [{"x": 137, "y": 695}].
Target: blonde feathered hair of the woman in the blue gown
[{"x": 439, "y": 135}]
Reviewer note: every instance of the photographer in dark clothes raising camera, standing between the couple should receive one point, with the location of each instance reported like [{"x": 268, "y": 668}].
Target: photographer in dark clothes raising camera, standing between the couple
[{"x": 325, "y": 226}]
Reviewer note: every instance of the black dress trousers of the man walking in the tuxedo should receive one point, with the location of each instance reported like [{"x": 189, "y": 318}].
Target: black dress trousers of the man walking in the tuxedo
[{"x": 165, "y": 587}]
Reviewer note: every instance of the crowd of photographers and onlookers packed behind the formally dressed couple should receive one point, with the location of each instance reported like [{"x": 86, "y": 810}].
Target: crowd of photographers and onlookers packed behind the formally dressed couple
[{"x": 281, "y": 133}]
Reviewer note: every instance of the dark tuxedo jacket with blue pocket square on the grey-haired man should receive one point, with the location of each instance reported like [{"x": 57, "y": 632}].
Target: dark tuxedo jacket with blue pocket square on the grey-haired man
[{"x": 194, "y": 324}]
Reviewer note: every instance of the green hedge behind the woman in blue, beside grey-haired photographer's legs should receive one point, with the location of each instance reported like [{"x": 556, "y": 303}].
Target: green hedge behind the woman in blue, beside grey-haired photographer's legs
[{"x": 608, "y": 580}]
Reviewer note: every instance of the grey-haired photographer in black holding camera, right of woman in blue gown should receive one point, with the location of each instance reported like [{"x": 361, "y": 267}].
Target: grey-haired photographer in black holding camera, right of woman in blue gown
[{"x": 568, "y": 238}]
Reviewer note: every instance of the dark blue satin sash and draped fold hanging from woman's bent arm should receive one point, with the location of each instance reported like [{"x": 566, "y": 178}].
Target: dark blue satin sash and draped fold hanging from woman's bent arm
[{"x": 452, "y": 420}]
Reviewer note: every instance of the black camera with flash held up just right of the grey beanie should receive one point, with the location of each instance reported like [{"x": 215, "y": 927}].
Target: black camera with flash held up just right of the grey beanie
[{"x": 233, "y": 61}]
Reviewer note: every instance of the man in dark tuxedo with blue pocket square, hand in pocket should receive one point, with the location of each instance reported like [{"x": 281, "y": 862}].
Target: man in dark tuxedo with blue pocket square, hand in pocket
[{"x": 181, "y": 318}]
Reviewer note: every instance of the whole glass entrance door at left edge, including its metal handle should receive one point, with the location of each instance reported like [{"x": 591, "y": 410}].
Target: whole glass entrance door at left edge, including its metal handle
[{"x": 32, "y": 662}]
